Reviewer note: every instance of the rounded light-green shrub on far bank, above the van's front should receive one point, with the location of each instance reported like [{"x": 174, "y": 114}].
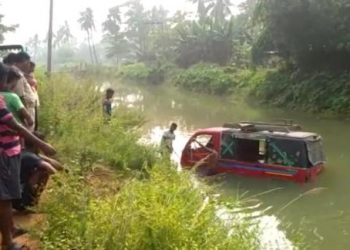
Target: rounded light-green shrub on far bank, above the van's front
[{"x": 205, "y": 78}]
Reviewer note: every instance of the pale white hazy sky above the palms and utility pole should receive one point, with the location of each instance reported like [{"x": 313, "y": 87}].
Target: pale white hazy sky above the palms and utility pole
[{"x": 32, "y": 15}]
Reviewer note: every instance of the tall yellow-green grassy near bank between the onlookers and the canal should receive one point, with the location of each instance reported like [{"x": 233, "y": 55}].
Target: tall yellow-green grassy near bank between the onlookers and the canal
[{"x": 142, "y": 204}]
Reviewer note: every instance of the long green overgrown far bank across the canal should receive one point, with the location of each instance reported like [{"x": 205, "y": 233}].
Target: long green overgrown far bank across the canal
[{"x": 314, "y": 92}]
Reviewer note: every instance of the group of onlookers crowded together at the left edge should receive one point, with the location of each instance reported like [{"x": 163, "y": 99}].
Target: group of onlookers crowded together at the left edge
[{"x": 25, "y": 163}]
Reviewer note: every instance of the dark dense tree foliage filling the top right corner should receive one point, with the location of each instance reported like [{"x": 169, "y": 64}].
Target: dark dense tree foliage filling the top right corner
[{"x": 310, "y": 34}]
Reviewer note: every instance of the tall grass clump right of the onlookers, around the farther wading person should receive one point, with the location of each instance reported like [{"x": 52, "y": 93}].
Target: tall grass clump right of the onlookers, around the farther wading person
[{"x": 71, "y": 113}]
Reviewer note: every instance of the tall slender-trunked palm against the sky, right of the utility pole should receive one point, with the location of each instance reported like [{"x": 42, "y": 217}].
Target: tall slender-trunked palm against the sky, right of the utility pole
[{"x": 87, "y": 24}]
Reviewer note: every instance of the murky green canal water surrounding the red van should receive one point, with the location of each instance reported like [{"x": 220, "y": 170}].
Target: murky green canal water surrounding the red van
[{"x": 321, "y": 209}]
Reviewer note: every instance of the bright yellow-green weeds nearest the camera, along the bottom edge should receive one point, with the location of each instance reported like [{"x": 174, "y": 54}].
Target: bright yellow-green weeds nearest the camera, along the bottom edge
[{"x": 164, "y": 211}]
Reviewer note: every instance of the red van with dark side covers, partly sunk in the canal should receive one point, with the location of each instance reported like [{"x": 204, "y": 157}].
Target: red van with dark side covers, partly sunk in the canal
[{"x": 258, "y": 149}]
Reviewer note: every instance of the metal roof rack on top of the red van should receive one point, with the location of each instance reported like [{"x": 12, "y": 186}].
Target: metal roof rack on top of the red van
[{"x": 248, "y": 126}]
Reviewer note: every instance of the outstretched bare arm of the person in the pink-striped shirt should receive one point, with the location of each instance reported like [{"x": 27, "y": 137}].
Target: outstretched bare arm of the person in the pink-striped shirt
[{"x": 14, "y": 125}]
